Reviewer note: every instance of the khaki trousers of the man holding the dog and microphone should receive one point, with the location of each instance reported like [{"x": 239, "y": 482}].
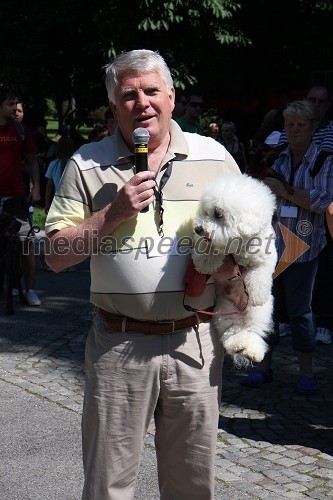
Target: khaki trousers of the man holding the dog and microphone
[{"x": 132, "y": 378}]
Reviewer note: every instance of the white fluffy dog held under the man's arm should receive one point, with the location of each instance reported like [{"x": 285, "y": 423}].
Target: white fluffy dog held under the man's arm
[{"x": 234, "y": 218}]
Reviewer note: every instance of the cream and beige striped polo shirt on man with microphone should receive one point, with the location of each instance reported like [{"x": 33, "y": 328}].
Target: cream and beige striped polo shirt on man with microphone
[{"x": 139, "y": 269}]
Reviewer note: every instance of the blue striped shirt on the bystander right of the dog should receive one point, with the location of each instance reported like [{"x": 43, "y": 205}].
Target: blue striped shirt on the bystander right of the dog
[{"x": 309, "y": 224}]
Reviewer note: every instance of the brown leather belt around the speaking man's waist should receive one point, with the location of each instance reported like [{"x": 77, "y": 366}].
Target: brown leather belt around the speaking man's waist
[{"x": 116, "y": 324}]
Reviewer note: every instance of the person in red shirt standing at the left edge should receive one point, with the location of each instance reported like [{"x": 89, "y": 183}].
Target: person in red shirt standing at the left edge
[{"x": 16, "y": 146}]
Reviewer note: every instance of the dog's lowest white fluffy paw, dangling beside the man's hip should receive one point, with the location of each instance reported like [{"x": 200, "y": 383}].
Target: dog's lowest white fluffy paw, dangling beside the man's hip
[{"x": 246, "y": 344}]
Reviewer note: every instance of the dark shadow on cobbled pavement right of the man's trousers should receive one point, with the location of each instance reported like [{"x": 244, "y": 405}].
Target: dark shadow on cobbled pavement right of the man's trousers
[{"x": 273, "y": 412}]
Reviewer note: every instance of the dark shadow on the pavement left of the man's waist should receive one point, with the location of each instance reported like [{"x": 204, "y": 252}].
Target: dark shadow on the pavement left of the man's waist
[{"x": 64, "y": 316}]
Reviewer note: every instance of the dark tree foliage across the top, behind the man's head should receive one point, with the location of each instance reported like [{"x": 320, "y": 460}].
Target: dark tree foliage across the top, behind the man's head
[{"x": 57, "y": 49}]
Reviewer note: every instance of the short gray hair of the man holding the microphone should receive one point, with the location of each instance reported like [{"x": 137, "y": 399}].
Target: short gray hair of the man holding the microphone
[{"x": 142, "y": 61}]
